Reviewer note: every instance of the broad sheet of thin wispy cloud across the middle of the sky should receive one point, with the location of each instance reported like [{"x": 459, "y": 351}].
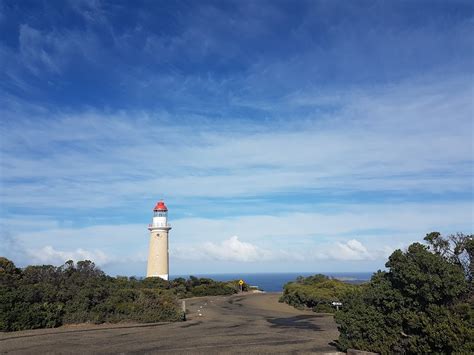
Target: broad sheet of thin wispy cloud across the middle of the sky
[{"x": 376, "y": 142}]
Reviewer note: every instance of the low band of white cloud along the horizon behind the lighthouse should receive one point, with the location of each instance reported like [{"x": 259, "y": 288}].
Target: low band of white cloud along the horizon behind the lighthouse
[{"x": 334, "y": 232}]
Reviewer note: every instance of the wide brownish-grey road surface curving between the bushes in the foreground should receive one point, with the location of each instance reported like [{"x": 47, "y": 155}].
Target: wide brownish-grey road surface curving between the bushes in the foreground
[{"x": 254, "y": 323}]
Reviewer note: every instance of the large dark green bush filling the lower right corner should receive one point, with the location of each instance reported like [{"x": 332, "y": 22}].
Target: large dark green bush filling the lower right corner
[{"x": 422, "y": 304}]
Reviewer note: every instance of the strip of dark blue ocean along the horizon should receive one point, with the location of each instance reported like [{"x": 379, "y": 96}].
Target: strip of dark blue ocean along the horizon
[{"x": 273, "y": 282}]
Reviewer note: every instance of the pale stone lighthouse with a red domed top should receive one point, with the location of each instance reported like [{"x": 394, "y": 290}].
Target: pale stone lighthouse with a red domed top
[{"x": 158, "y": 259}]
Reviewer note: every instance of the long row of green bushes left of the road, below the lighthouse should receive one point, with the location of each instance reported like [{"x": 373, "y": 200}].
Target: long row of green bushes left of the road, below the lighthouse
[{"x": 47, "y": 296}]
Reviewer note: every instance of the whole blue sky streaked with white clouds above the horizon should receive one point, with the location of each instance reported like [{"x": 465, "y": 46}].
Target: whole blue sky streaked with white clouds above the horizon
[{"x": 283, "y": 135}]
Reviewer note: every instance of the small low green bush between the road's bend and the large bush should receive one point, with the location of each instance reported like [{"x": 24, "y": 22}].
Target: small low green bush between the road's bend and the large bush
[{"x": 316, "y": 292}]
